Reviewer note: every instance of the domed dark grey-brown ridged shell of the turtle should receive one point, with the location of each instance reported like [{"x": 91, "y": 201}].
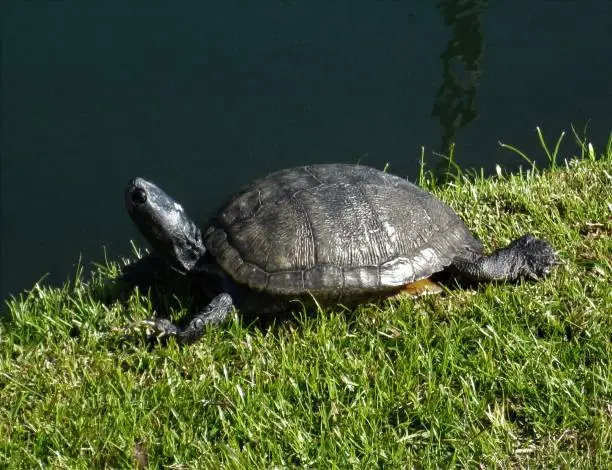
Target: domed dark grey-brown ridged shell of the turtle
[{"x": 334, "y": 229}]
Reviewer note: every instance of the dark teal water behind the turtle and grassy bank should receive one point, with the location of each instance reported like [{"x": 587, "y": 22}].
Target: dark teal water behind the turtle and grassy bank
[{"x": 202, "y": 99}]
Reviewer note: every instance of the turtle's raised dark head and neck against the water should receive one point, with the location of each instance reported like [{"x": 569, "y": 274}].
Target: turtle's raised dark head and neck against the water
[{"x": 163, "y": 222}]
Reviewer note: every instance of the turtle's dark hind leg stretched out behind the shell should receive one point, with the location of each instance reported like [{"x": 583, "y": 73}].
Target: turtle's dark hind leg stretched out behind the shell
[{"x": 527, "y": 257}]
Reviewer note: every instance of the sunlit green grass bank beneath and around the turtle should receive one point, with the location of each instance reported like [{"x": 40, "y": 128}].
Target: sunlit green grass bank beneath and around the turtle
[{"x": 498, "y": 376}]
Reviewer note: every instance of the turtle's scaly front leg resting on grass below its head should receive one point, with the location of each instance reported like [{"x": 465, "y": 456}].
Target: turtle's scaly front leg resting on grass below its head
[{"x": 215, "y": 313}]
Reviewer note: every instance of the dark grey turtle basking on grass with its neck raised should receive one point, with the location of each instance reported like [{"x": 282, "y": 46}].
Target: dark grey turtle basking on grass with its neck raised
[{"x": 325, "y": 233}]
